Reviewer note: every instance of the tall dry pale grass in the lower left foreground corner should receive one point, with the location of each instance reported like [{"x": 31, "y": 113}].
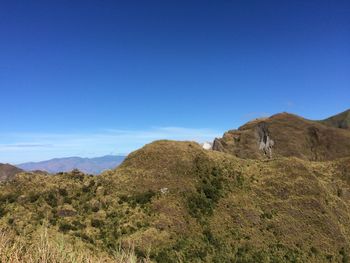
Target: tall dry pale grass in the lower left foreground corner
[{"x": 13, "y": 249}]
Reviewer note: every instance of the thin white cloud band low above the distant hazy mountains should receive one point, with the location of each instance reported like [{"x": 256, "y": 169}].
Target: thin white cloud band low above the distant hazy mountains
[{"x": 23, "y": 147}]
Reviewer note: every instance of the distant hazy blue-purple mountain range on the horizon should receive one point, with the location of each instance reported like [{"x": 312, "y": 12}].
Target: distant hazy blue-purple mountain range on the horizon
[{"x": 86, "y": 165}]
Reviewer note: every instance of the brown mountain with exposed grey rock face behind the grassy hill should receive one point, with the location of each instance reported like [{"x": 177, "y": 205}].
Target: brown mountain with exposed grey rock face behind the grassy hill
[{"x": 285, "y": 135}]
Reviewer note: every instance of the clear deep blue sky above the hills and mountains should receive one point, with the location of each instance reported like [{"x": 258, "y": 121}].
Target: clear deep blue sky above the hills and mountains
[{"x": 97, "y": 77}]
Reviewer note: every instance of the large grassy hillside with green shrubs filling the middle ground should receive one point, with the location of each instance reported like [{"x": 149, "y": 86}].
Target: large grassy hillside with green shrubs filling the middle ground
[{"x": 175, "y": 202}]
